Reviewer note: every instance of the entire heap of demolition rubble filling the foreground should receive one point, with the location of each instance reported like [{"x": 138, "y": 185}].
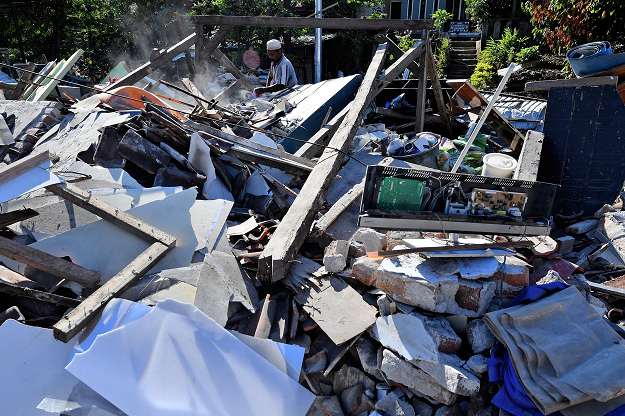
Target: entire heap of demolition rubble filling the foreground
[{"x": 162, "y": 261}]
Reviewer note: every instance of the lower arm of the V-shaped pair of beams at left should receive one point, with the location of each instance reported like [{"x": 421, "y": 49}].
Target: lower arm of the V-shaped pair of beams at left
[{"x": 76, "y": 320}]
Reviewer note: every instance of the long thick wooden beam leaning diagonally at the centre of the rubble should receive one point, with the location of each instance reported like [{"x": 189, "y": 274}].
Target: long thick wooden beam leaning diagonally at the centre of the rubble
[{"x": 293, "y": 229}]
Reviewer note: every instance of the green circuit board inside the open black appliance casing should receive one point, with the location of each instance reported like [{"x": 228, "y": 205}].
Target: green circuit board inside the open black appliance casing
[{"x": 396, "y": 194}]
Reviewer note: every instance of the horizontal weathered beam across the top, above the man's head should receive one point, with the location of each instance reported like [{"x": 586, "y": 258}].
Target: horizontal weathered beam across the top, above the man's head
[{"x": 312, "y": 22}]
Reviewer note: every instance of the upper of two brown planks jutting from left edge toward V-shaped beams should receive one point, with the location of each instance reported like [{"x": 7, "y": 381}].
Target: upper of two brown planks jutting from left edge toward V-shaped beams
[{"x": 48, "y": 263}]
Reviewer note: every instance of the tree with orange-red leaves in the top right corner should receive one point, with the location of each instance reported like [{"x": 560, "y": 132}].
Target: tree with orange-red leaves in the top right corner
[{"x": 563, "y": 24}]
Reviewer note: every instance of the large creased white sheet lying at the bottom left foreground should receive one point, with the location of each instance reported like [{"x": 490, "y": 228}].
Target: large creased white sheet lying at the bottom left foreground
[{"x": 175, "y": 360}]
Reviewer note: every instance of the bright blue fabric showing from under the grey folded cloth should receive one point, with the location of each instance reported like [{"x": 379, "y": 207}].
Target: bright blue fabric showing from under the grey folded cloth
[{"x": 512, "y": 397}]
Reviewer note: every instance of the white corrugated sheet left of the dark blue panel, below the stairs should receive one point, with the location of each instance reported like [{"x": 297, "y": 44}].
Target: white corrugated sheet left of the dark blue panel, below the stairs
[{"x": 523, "y": 113}]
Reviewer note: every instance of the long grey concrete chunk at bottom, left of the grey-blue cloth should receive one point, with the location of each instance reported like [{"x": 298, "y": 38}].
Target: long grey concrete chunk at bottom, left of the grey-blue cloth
[{"x": 401, "y": 371}]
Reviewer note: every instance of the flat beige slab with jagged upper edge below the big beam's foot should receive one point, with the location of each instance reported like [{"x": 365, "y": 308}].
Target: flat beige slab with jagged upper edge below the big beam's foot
[{"x": 339, "y": 310}]
